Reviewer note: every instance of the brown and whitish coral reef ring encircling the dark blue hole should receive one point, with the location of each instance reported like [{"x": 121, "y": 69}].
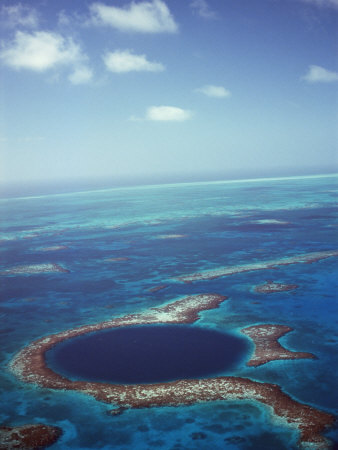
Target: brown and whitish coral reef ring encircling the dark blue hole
[{"x": 30, "y": 366}]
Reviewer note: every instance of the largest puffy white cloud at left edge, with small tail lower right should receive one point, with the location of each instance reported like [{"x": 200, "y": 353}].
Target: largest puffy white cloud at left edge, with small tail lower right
[{"x": 41, "y": 51}]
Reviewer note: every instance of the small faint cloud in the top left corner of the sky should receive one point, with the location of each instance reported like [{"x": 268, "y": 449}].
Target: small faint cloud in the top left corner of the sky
[{"x": 19, "y": 15}]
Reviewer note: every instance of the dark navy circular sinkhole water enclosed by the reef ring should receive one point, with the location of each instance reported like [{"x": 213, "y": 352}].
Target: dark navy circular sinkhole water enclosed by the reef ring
[{"x": 146, "y": 354}]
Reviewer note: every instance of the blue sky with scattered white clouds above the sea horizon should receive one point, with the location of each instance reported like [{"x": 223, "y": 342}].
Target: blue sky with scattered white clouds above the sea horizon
[{"x": 176, "y": 88}]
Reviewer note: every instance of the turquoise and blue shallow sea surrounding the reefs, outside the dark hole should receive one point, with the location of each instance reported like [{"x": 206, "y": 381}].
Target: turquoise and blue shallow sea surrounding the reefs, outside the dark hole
[{"x": 162, "y": 232}]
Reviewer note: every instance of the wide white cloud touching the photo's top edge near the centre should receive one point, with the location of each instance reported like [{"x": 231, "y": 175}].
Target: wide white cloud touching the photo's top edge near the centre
[{"x": 145, "y": 17}]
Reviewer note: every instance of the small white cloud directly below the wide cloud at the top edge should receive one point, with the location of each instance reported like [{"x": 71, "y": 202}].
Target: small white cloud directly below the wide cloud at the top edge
[{"x": 122, "y": 61}]
